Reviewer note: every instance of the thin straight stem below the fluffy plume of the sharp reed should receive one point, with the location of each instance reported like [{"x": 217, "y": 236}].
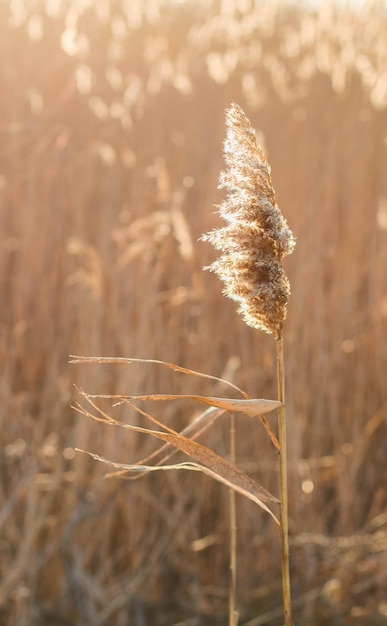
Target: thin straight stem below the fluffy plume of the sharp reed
[{"x": 282, "y": 455}]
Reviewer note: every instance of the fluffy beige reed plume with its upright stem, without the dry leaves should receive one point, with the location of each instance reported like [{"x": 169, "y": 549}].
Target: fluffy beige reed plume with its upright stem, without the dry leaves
[{"x": 253, "y": 243}]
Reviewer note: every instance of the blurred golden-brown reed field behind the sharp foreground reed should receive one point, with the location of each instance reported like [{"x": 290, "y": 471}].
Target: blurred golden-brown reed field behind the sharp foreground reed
[{"x": 111, "y": 131}]
